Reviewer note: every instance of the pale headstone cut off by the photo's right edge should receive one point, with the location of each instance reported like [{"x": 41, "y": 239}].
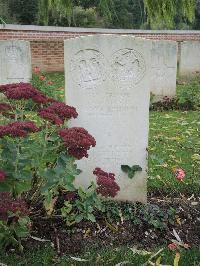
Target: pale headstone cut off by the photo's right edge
[{"x": 189, "y": 58}]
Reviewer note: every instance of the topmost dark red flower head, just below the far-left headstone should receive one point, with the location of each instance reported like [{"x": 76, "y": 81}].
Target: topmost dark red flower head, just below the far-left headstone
[{"x": 18, "y": 91}]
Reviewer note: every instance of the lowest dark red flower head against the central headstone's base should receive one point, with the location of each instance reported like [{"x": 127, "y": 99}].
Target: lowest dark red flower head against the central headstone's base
[{"x": 107, "y": 185}]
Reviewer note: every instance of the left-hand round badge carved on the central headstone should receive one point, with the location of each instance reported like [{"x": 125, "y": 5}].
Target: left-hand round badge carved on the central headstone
[{"x": 88, "y": 68}]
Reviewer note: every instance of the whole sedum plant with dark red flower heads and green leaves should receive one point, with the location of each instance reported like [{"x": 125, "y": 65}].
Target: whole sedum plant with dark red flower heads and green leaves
[{"x": 38, "y": 154}]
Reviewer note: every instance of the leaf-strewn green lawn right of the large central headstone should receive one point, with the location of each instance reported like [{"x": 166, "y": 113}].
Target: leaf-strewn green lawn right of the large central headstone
[{"x": 174, "y": 142}]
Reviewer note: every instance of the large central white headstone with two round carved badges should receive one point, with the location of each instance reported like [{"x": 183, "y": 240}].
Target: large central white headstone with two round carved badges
[{"x": 107, "y": 80}]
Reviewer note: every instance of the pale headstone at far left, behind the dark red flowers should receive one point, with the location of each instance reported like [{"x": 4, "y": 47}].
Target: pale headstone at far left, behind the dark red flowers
[{"x": 15, "y": 62}]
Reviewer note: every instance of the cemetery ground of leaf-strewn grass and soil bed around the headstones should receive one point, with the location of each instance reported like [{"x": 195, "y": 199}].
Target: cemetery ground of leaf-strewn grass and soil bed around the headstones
[{"x": 173, "y": 205}]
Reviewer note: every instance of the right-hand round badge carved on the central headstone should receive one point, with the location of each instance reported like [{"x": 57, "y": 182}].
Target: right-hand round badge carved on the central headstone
[{"x": 127, "y": 66}]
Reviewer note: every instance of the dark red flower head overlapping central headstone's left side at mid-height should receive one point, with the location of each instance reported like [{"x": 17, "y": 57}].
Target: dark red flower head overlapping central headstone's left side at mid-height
[{"x": 78, "y": 141}]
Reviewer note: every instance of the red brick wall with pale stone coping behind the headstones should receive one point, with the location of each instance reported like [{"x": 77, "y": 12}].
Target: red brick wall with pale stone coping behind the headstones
[{"x": 47, "y": 43}]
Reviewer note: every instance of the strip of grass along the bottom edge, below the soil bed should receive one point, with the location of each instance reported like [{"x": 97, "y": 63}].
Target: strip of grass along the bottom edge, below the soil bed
[{"x": 107, "y": 257}]
